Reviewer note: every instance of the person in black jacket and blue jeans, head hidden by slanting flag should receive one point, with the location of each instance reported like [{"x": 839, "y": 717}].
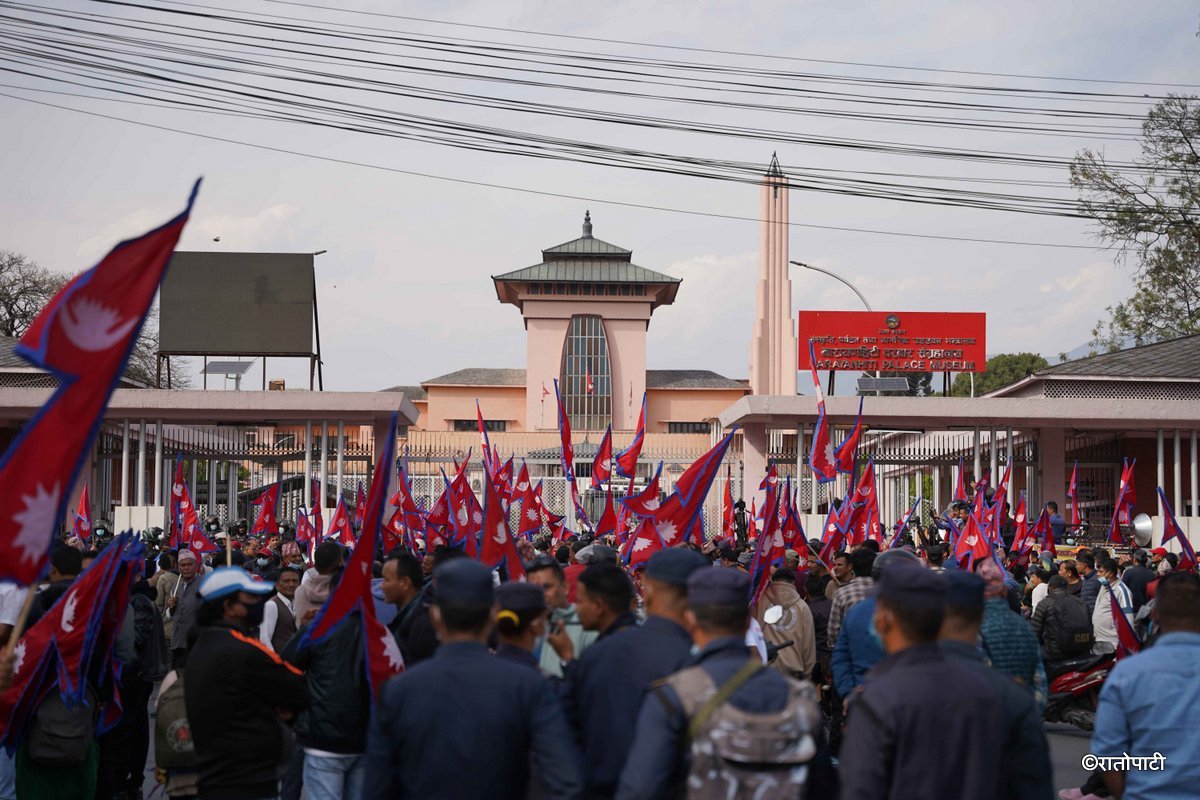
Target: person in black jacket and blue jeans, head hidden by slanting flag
[{"x": 333, "y": 730}]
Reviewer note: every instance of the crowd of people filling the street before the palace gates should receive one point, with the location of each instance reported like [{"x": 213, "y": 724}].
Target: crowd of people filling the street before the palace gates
[{"x": 891, "y": 673}]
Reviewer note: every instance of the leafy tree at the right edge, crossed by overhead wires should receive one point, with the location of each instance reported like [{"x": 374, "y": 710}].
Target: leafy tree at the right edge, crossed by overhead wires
[{"x": 1150, "y": 214}]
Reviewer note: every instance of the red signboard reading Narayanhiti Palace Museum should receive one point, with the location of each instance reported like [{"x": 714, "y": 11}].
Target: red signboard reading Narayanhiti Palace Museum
[{"x": 879, "y": 341}]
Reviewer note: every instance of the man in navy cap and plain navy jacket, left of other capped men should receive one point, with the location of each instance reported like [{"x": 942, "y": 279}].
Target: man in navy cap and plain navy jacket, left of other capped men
[{"x": 465, "y": 724}]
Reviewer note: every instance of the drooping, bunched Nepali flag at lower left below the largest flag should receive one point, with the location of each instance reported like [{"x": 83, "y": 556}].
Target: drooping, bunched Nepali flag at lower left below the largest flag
[{"x": 61, "y": 651}]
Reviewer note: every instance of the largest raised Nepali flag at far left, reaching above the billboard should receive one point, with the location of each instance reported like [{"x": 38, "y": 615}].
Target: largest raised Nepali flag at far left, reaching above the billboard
[{"x": 83, "y": 336}]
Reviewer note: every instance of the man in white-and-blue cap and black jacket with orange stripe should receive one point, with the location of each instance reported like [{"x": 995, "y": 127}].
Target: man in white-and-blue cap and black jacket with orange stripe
[{"x": 238, "y": 693}]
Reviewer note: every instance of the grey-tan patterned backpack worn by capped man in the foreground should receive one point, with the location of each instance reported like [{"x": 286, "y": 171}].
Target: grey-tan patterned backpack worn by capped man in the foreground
[{"x": 739, "y": 754}]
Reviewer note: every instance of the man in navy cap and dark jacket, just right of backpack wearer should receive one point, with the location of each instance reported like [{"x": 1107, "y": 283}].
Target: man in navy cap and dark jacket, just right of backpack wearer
[{"x": 916, "y": 696}]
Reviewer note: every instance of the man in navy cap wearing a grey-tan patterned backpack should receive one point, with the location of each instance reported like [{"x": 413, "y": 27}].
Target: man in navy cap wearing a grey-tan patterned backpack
[{"x": 728, "y": 703}]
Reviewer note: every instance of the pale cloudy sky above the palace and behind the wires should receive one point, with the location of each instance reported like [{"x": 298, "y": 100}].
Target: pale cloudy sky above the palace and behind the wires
[{"x": 405, "y": 288}]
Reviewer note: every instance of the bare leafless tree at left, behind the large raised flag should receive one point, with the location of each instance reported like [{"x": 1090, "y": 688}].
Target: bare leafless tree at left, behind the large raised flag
[{"x": 26, "y": 287}]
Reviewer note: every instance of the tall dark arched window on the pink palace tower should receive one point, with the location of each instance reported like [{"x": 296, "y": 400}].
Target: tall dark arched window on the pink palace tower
[{"x": 586, "y": 357}]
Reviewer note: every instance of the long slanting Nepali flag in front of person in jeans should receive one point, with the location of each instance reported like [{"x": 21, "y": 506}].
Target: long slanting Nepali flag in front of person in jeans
[{"x": 353, "y": 592}]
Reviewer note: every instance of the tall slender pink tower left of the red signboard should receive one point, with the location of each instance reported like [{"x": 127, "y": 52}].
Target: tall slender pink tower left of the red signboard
[{"x": 773, "y": 347}]
